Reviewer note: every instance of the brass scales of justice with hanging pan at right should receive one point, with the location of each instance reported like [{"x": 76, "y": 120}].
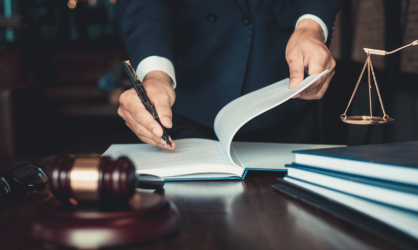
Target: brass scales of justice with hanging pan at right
[{"x": 365, "y": 119}]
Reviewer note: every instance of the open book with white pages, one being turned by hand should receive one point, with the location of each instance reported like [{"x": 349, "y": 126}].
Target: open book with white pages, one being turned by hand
[{"x": 197, "y": 159}]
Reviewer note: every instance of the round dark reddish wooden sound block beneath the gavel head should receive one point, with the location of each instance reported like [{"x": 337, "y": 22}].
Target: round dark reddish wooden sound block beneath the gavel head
[{"x": 146, "y": 217}]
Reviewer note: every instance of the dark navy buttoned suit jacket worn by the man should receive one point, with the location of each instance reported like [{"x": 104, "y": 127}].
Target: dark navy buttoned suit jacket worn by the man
[{"x": 221, "y": 49}]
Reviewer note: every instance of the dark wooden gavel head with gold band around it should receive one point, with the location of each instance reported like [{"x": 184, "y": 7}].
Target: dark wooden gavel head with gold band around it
[{"x": 93, "y": 179}]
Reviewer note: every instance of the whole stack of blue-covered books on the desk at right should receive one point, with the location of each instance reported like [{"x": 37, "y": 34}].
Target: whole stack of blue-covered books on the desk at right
[{"x": 378, "y": 180}]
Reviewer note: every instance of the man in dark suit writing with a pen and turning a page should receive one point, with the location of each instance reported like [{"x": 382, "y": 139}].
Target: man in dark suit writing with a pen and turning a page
[{"x": 207, "y": 53}]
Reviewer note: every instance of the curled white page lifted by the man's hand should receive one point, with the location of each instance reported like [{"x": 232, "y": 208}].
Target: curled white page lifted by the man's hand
[{"x": 238, "y": 112}]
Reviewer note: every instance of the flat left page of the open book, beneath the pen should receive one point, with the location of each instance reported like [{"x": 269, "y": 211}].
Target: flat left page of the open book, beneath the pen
[{"x": 188, "y": 152}]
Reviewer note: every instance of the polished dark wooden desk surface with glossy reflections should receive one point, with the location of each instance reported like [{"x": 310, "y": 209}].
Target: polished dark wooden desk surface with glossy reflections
[{"x": 246, "y": 214}]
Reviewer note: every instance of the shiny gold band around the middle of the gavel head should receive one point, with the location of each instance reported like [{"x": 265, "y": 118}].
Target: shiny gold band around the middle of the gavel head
[{"x": 84, "y": 179}]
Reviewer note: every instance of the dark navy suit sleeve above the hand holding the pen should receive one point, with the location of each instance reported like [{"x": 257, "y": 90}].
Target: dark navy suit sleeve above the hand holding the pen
[{"x": 147, "y": 29}]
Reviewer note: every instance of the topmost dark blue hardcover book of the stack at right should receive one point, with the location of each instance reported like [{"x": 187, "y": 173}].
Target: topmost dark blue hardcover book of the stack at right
[{"x": 397, "y": 162}]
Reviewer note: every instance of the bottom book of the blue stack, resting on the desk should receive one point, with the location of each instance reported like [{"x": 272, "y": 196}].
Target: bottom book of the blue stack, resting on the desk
[{"x": 381, "y": 220}]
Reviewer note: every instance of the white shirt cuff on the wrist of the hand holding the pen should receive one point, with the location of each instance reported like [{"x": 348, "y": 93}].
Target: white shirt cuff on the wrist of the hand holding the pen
[{"x": 152, "y": 63}]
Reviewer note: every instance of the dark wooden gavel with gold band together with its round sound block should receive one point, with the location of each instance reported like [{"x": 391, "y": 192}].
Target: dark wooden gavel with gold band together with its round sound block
[{"x": 113, "y": 220}]
